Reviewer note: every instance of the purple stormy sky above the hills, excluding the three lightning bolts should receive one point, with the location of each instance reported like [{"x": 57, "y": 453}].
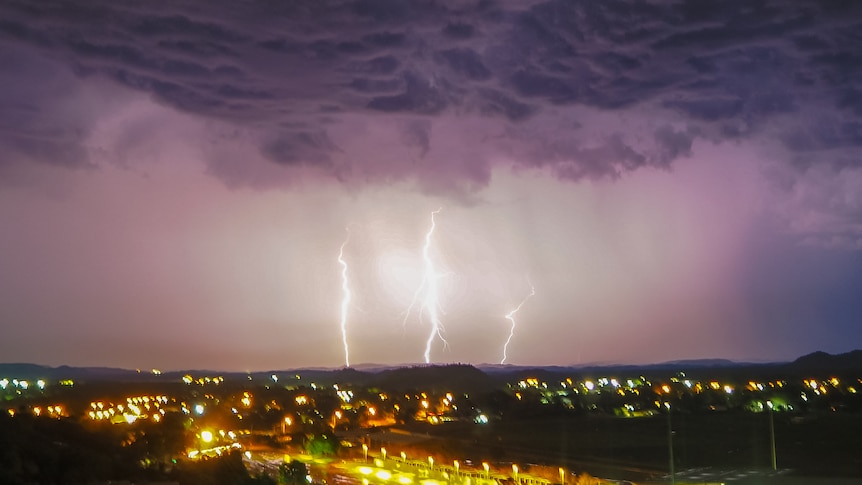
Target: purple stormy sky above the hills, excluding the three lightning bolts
[{"x": 676, "y": 180}]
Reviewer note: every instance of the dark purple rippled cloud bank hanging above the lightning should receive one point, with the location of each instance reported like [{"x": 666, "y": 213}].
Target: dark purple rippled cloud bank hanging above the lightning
[{"x": 375, "y": 91}]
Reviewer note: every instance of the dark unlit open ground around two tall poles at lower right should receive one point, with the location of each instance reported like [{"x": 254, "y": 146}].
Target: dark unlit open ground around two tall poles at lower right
[{"x": 637, "y": 448}]
